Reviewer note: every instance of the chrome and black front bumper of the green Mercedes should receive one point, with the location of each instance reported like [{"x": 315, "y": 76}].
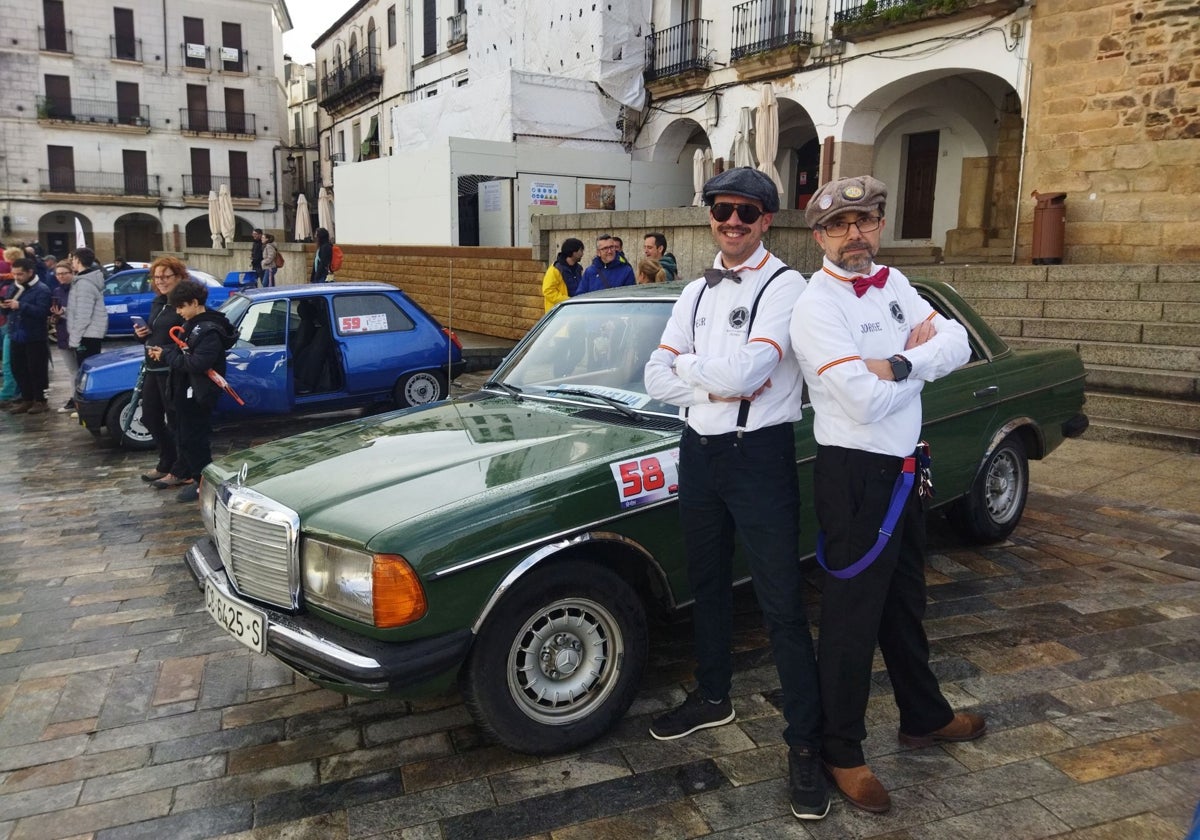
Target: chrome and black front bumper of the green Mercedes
[{"x": 333, "y": 656}]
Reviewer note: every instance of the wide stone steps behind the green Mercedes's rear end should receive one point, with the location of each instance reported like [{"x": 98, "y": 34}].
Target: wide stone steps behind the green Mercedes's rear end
[{"x": 1136, "y": 327}]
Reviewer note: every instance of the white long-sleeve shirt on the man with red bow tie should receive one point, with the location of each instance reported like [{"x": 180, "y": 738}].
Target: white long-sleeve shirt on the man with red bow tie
[{"x": 833, "y": 332}]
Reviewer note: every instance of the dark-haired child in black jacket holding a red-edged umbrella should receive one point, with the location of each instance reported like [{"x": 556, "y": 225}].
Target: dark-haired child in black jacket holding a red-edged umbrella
[{"x": 208, "y": 335}]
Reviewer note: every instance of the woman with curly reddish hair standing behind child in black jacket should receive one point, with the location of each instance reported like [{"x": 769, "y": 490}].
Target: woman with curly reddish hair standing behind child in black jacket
[{"x": 157, "y": 411}]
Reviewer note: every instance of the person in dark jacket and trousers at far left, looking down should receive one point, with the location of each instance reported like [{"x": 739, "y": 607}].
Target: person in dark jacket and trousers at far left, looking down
[{"x": 28, "y": 307}]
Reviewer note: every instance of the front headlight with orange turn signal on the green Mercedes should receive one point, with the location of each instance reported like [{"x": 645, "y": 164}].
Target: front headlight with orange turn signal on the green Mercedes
[{"x": 380, "y": 590}]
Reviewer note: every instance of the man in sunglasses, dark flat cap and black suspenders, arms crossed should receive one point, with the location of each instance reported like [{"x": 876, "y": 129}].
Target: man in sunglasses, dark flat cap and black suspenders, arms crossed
[{"x": 725, "y": 359}]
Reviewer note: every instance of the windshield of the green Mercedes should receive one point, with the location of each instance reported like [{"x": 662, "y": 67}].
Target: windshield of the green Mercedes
[{"x": 591, "y": 349}]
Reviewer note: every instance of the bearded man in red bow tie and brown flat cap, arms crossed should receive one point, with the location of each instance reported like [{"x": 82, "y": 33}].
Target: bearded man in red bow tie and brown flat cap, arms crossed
[{"x": 867, "y": 344}]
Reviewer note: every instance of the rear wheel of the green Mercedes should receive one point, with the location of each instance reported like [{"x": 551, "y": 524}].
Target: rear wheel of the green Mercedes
[{"x": 994, "y": 506}]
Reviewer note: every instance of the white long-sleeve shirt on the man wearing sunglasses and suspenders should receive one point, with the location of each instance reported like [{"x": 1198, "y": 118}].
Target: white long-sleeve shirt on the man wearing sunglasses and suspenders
[{"x": 721, "y": 353}]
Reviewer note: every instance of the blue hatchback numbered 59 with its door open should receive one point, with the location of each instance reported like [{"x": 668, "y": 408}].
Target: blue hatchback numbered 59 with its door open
[{"x": 301, "y": 349}]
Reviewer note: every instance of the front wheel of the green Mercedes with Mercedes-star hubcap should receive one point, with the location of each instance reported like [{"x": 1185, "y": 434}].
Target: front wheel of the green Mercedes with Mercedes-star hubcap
[{"x": 559, "y": 662}]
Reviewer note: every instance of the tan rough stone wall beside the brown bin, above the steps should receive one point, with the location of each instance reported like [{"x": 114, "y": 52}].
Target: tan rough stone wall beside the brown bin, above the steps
[{"x": 1114, "y": 122}]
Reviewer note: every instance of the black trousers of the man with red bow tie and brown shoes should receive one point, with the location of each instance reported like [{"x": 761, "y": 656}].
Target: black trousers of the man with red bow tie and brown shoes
[{"x": 885, "y": 604}]
